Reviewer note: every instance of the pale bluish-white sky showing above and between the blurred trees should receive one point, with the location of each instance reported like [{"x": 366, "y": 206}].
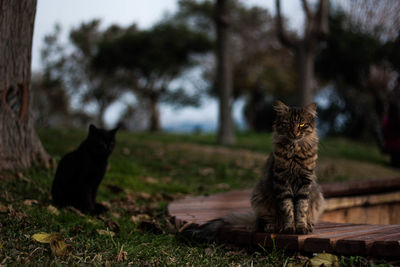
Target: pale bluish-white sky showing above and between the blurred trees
[{"x": 70, "y": 13}]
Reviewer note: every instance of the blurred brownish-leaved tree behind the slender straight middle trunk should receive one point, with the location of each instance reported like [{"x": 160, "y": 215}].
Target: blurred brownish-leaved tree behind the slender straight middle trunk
[{"x": 262, "y": 68}]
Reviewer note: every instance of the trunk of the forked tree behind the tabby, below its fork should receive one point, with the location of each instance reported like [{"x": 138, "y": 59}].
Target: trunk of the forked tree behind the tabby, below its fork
[{"x": 306, "y": 74}]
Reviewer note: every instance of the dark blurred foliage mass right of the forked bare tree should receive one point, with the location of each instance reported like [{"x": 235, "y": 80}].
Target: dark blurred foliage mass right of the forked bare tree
[{"x": 359, "y": 73}]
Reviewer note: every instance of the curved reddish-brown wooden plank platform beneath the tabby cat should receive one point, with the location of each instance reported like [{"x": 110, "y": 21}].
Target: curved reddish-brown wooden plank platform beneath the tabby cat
[{"x": 339, "y": 238}]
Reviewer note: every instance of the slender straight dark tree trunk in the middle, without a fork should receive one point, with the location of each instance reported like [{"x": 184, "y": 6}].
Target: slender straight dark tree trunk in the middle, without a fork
[{"x": 224, "y": 74}]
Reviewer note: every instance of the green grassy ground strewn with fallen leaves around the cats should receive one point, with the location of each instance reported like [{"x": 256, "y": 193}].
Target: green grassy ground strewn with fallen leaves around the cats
[{"x": 146, "y": 172}]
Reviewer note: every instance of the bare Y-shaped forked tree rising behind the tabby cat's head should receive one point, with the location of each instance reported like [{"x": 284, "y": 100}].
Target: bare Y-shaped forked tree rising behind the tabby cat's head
[{"x": 316, "y": 28}]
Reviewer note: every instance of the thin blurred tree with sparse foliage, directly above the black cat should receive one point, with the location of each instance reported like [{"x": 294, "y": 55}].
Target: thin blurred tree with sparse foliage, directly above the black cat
[{"x": 100, "y": 89}]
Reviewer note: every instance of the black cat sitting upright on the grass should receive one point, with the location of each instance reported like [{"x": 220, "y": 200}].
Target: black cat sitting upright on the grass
[{"x": 80, "y": 172}]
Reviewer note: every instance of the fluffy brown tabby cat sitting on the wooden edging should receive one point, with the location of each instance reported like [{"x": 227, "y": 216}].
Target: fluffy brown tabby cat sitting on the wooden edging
[{"x": 287, "y": 199}]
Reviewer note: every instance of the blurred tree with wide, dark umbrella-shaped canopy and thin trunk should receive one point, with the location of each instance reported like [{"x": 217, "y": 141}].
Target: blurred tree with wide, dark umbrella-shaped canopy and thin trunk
[{"x": 148, "y": 61}]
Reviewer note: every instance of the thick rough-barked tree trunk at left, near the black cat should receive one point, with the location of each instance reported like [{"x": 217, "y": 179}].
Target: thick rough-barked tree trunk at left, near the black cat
[{"x": 19, "y": 143}]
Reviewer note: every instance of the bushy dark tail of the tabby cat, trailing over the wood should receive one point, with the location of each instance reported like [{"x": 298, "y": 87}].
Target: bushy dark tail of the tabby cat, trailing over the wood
[{"x": 209, "y": 231}]
